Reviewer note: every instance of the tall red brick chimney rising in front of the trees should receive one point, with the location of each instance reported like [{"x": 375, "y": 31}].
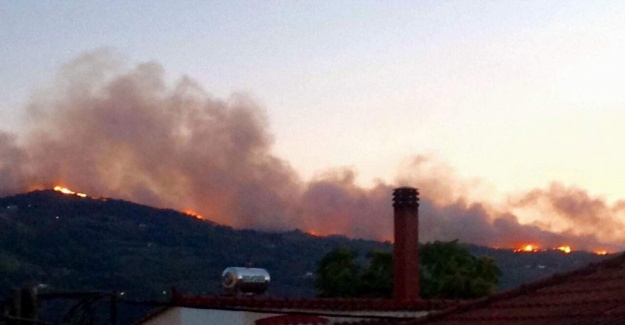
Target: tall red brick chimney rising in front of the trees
[{"x": 406, "y": 253}]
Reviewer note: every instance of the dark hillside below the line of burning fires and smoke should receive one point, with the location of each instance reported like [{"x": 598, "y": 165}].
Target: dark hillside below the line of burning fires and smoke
[{"x": 68, "y": 243}]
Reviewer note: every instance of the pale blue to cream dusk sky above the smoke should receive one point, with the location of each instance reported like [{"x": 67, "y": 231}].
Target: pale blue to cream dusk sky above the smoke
[{"x": 507, "y": 99}]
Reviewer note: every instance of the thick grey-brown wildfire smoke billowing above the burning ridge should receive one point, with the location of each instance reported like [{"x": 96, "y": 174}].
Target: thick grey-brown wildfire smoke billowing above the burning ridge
[{"x": 113, "y": 131}]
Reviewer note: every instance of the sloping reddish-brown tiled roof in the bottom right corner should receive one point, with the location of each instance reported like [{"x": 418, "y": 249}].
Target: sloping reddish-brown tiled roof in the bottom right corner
[{"x": 594, "y": 294}]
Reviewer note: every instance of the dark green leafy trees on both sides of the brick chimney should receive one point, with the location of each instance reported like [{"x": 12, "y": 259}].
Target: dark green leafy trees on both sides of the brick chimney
[{"x": 447, "y": 270}]
